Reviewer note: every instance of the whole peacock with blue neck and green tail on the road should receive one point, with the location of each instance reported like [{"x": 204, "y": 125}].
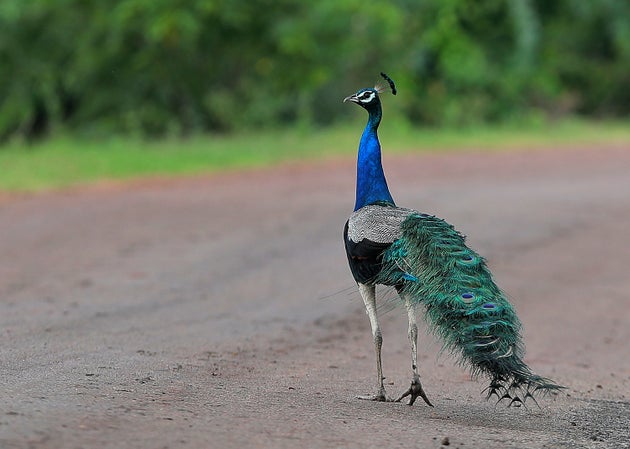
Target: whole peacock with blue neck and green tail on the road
[{"x": 428, "y": 263}]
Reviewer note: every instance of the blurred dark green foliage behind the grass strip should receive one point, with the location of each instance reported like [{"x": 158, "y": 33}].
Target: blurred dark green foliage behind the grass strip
[{"x": 174, "y": 67}]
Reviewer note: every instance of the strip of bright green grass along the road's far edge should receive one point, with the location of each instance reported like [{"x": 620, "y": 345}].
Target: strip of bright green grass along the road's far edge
[{"x": 65, "y": 161}]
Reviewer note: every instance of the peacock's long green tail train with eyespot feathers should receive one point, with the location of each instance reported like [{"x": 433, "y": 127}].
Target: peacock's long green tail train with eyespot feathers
[{"x": 464, "y": 307}]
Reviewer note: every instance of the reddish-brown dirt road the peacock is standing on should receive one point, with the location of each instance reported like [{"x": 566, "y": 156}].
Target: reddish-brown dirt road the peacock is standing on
[{"x": 219, "y": 312}]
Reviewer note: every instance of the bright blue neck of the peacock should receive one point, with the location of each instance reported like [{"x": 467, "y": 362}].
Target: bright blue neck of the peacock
[{"x": 371, "y": 183}]
